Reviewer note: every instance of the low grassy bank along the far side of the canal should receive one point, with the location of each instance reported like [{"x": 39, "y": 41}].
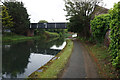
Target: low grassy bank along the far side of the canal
[{"x": 15, "y": 37}]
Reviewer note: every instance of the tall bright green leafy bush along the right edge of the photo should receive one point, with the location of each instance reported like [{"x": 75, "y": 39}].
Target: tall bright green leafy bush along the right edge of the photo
[{"x": 114, "y": 47}]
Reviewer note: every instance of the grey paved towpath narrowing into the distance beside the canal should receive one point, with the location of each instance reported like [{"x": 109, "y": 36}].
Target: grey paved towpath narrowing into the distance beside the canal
[{"x": 80, "y": 64}]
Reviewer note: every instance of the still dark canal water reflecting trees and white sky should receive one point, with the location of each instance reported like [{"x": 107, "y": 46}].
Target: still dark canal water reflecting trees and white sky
[{"x": 19, "y": 60}]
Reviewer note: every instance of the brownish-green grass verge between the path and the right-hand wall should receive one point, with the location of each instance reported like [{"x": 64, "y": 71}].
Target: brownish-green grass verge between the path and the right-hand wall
[{"x": 101, "y": 56}]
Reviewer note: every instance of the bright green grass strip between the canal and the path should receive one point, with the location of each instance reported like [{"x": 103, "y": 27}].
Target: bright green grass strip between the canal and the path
[{"x": 55, "y": 65}]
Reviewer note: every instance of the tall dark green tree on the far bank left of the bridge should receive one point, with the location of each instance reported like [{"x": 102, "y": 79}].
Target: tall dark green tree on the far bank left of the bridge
[{"x": 20, "y": 16}]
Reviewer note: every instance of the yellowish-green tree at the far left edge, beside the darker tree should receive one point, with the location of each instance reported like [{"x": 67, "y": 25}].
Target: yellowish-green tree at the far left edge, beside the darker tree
[{"x": 6, "y": 19}]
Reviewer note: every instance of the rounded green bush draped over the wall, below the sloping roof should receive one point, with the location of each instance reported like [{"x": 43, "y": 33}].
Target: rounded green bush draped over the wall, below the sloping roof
[{"x": 99, "y": 26}]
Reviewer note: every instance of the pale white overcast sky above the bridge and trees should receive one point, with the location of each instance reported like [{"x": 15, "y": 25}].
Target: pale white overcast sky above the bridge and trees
[{"x": 51, "y": 10}]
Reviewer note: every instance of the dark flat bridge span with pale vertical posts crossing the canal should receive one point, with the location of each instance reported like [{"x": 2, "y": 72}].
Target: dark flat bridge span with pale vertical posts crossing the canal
[{"x": 48, "y": 25}]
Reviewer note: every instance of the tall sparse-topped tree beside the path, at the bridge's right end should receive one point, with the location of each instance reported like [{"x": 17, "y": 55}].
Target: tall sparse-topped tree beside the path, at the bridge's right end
[{"x": 79, "y": 14}]
